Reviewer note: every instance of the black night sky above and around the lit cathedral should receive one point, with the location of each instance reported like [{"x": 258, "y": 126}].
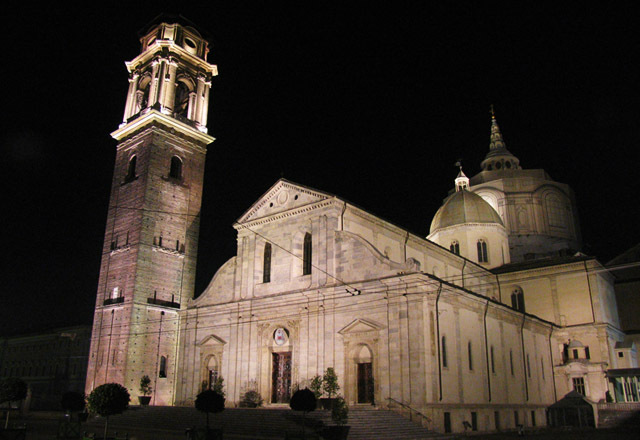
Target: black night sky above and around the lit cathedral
[{"x": 372, "y": 104}]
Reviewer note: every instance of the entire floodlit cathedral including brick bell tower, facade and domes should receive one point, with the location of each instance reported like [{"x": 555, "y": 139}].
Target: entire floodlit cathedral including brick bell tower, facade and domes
[{"x": 491, "y": 318}]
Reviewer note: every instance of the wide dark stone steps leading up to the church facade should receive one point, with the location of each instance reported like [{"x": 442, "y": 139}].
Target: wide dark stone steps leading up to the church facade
[{"x": 261, "y": 423}]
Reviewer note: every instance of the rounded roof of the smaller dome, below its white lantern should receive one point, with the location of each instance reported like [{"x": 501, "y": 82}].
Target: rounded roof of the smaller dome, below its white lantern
[{"x": 464, "y": 207}]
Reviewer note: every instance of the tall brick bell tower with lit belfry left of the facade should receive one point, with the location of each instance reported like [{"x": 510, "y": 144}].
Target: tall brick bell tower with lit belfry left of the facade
[{"x": 148, "y": 263}]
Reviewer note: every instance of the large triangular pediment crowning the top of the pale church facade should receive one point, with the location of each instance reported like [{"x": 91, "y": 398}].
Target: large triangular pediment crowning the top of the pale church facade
[{"x": 281, "y": 197}]
